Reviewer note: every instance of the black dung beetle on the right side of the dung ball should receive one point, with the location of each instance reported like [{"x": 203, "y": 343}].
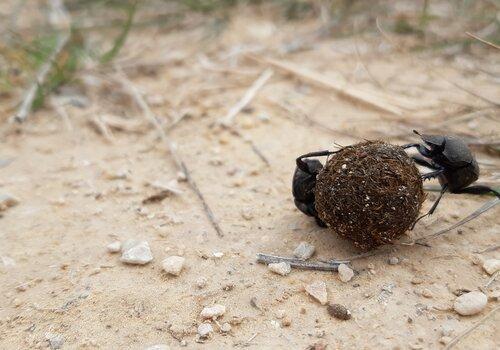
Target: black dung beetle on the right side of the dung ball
[{"x": 452, "y": 162}]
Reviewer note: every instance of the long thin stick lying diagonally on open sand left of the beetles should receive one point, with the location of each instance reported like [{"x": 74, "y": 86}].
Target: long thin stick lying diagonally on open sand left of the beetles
[{"x": 171, "y": 147}]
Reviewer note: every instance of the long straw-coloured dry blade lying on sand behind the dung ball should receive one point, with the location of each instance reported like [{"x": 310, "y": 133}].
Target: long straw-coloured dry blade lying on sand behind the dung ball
[{"x": 339, "y": 87}]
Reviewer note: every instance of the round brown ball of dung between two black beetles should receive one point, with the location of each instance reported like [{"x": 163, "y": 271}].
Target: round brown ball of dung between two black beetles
[{"x": 369, "y": 193}]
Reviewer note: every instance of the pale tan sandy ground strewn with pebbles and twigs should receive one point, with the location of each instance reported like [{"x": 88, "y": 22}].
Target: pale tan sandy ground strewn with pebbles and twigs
[{"x": 60, "y": 279}]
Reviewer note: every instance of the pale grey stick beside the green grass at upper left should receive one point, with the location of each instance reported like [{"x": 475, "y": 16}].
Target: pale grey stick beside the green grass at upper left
[{"x": 29, "y": 97}]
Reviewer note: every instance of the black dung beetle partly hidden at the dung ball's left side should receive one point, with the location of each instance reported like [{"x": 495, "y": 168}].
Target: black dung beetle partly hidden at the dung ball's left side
[{"x": 304, "y": 181}]
